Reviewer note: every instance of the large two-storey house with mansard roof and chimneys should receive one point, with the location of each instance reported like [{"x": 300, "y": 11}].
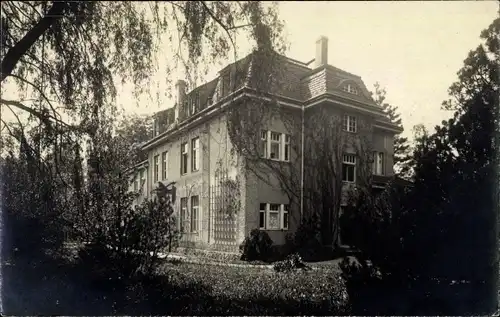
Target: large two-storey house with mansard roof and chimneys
[{"x": 191, "y": 146}]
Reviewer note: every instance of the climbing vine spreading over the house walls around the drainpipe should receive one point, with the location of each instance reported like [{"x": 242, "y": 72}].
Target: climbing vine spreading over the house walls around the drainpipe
[{"x": 325, "y": 144}]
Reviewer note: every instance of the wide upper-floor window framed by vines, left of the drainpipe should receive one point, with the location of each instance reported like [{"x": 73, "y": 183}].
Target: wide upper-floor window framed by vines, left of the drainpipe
[{"x": 275, "y": 145}]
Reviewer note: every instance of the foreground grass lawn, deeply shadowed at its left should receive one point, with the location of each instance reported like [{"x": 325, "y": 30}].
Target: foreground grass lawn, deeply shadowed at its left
[{"x": 56, "y": 287}]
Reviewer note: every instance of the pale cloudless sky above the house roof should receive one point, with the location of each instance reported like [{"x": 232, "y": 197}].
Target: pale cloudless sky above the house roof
[{"x": 413, "y": 49}]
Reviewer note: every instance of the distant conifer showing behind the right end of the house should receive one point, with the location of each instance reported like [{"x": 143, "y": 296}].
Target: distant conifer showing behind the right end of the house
[{"x": 402, "y": 148}]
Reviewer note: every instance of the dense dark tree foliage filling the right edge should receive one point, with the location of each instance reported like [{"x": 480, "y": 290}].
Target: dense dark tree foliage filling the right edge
[{"x": 442, "y": 229}]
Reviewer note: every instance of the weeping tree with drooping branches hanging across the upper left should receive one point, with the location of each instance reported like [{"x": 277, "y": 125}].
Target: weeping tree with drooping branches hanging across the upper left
[{"x": 64, "y": 56}]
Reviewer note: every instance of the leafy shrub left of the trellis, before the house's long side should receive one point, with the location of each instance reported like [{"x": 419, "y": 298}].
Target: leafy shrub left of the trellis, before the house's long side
[{"x": 130, "y": 238}]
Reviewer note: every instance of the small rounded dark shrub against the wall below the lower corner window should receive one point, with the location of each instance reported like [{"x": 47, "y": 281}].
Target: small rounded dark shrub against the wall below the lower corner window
[{"x": 257, "y": 246}]
